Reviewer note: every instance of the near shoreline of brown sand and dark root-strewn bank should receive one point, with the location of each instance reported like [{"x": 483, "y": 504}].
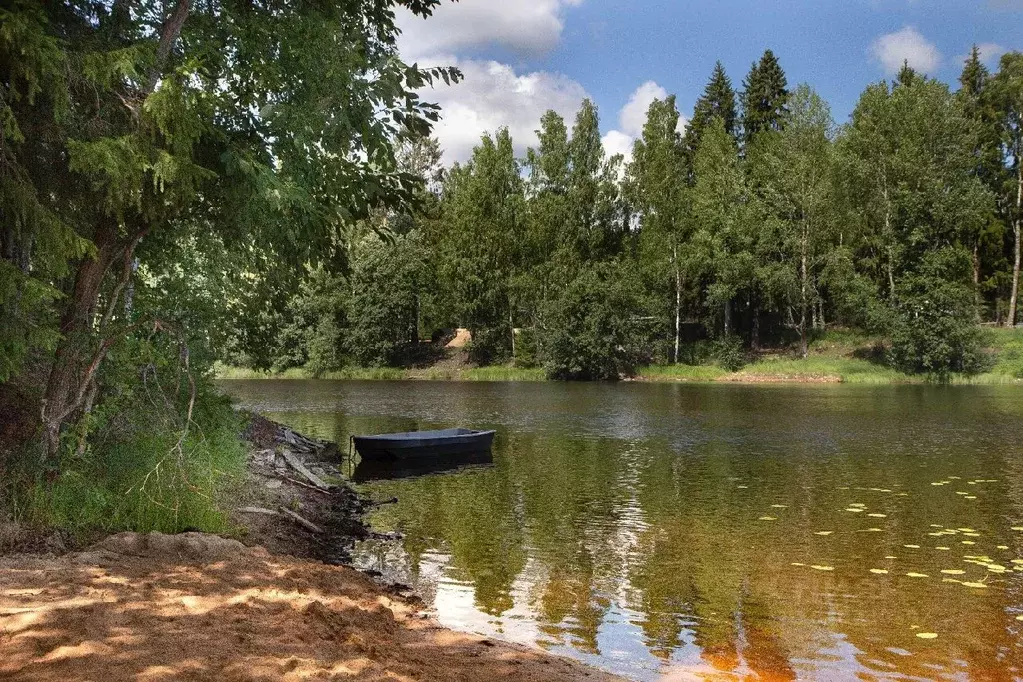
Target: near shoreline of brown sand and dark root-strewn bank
[{"x": 280, "y": 602}]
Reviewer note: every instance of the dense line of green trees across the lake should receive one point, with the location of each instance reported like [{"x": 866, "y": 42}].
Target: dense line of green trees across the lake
[{"x": 759, "y": 223}]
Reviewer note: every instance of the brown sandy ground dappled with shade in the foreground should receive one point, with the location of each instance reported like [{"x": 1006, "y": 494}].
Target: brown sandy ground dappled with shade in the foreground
[{"x": 195, "y": 607}]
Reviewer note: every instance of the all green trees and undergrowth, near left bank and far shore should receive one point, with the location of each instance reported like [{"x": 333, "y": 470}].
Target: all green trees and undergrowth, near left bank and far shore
[{"x": 191, "y": 184}]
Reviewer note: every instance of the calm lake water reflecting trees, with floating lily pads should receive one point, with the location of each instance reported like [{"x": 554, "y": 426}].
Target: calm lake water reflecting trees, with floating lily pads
[{"x": 708, "y": 532}]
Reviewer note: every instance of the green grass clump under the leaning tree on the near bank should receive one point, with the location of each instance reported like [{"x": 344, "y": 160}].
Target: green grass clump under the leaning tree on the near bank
[{"x": 137, "y": 480}]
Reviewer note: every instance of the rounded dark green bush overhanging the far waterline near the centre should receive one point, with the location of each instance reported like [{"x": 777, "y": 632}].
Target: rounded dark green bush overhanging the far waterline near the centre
[{"x": 591, "y": 332}]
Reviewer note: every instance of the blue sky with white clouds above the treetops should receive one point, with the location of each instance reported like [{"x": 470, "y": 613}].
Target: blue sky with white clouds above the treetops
[{"x": 521, "y": 58}]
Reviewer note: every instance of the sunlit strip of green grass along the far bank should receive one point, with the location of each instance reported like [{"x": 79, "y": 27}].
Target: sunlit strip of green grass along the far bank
[{"x": 837, "y": 357}]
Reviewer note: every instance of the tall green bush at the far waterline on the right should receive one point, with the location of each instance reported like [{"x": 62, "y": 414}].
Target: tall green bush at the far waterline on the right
[{"x": 933, "y": 321}]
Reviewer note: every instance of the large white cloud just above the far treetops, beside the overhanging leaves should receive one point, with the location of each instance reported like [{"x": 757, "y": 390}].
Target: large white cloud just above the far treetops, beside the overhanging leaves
[{"x": 494, "y": 96}]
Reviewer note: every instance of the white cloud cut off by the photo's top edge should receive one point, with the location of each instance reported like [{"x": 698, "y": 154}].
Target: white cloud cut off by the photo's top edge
[{"x": 529, "y": 27}]
